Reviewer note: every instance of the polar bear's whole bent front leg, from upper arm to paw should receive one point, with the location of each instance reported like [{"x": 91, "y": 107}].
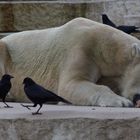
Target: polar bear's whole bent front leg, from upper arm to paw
[{"x": 77, "y": 83}]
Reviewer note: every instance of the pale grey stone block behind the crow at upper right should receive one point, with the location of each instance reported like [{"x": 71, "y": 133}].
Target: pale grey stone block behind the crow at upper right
[{"x": 119, "y": 9}]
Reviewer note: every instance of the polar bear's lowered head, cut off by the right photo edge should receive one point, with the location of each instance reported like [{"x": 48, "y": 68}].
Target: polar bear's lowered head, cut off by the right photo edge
[{"x": 131, "y": 81}]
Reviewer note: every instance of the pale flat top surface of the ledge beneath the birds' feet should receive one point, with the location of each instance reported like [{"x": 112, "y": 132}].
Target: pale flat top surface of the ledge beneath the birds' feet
[{"x": 67, "y": 111}]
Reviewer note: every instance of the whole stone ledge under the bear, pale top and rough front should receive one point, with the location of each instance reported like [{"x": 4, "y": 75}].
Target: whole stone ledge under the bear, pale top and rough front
[{"x": 69, "y": 123}]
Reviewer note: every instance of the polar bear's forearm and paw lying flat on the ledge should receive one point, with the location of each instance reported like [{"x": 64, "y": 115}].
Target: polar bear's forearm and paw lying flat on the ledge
[{"x": 87, "y": 93}]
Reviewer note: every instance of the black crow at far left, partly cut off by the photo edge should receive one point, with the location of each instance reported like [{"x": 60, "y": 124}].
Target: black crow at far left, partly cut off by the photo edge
[{"x": 5, "y": 86}]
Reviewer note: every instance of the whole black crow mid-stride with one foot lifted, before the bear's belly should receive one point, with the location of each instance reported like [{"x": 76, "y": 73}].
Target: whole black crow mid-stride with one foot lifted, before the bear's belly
[{"x": 39, "y": 95}]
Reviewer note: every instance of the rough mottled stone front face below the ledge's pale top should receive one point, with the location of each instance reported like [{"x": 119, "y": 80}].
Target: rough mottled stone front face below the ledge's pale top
[{"x": 70, "y": 129}]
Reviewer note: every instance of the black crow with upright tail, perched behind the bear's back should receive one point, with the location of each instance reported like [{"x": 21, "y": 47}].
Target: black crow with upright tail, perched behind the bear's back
[{"x": 124, "y": 28}]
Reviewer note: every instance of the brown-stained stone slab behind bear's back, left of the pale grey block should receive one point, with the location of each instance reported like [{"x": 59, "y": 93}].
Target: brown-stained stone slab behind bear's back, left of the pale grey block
[{"x": 25, "y": 16}]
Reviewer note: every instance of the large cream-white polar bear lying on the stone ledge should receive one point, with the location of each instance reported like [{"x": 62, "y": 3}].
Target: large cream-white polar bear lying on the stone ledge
[{"x": 83, "y": 61}]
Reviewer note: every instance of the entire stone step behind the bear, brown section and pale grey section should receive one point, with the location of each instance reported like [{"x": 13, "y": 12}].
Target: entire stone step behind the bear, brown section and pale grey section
[{"x": 26, "y": 15}]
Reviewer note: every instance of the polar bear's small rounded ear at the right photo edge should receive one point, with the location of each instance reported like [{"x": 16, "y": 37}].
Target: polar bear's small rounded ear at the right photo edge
[{"x": 135, "y": 52}]
